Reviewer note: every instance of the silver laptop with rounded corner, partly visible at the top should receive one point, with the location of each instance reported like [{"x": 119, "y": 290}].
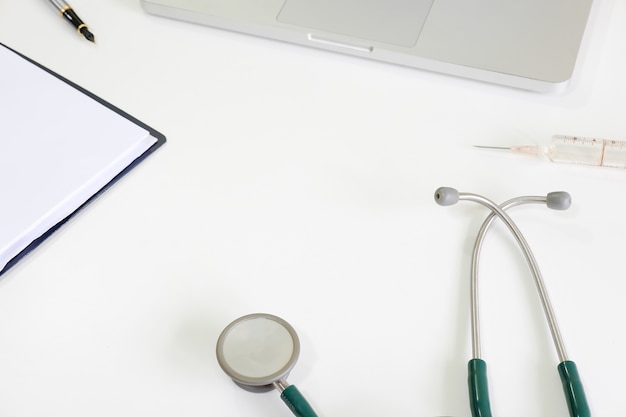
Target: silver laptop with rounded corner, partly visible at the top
[{"x": 527, "y": 44}]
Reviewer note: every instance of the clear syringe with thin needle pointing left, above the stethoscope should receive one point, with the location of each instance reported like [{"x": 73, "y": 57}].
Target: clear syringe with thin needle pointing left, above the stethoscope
[{"x": 577, "y": 150}]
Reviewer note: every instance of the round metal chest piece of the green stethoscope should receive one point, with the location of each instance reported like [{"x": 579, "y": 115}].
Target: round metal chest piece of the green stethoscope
[{"x": 257, "y": 351}]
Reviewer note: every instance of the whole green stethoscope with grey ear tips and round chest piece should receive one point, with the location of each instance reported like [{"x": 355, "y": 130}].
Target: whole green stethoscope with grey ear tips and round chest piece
[{"x": 258, "y": 351}]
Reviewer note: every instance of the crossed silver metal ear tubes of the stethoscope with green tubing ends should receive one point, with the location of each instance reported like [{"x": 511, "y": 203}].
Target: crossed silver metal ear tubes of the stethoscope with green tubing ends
[{"x": 477, "y": 368}]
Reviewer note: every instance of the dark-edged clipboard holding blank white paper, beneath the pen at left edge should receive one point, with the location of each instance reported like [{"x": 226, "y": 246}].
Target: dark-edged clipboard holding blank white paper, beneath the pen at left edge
[{"x": 38, "y": 194}]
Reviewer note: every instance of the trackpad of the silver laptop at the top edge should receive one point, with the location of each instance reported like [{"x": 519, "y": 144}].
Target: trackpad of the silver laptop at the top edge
[{"x": 396, "y": 22}]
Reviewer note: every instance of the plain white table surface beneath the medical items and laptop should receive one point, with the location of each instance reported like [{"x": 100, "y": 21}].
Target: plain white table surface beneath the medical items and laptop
[{"x": 300, "y": 183}]
